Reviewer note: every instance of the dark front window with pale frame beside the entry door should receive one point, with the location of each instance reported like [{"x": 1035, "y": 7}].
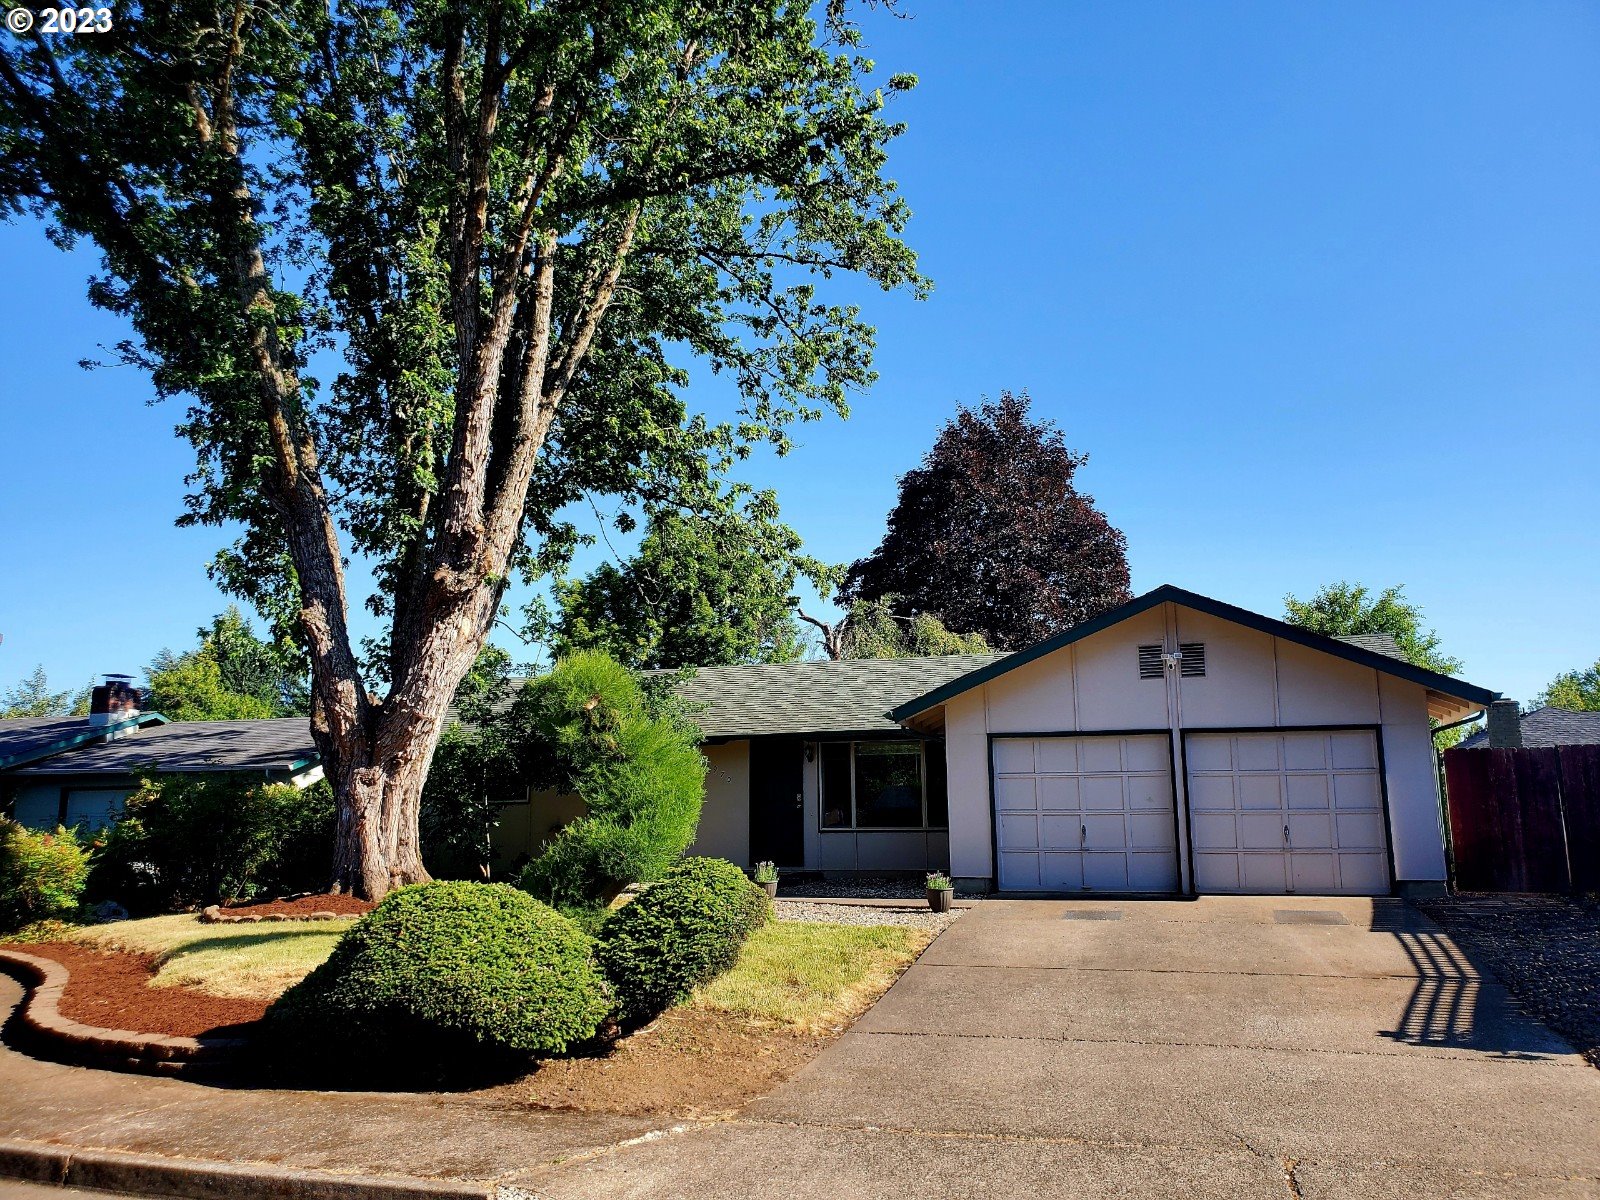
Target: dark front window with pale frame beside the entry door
[{"x": 882, "y": 786}]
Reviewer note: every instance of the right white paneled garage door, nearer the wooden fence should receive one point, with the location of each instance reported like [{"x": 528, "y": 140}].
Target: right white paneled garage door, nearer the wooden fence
[{"x": 1287, "y": 814}]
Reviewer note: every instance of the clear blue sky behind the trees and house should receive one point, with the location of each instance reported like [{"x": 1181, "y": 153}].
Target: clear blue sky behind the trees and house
[{"x": 1318, "y": 287}]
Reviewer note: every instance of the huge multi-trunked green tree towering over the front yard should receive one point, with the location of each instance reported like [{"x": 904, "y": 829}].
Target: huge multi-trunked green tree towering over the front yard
[{"x": 430, "y": 271}]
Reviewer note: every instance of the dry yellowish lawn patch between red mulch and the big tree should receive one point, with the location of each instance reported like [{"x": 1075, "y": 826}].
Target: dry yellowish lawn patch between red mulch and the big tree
[{"x": 255, "y": 962}]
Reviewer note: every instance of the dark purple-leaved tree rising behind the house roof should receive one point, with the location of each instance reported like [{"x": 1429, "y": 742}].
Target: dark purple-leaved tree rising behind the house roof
[{"x": 993, "y": 535}]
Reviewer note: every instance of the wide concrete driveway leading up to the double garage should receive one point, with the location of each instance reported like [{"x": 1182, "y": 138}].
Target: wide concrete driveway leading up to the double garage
[{"x": 1228, "y": 1047}]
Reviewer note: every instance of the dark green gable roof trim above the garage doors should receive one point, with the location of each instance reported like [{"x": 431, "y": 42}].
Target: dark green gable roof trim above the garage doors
[{"x": 1442, "y": 689}]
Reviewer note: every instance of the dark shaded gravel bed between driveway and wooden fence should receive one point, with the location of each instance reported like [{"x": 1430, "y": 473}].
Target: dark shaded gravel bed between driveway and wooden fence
[{"x": 1546, "y": 950}]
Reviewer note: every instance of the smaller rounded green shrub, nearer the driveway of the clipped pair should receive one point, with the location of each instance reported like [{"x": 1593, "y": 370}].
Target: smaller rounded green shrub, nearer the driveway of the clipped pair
[{"x": 682, "y": 932}]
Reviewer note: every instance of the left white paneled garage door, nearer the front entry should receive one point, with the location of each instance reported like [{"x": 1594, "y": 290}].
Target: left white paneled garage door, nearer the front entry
[{"x": 1086, "y": 815}]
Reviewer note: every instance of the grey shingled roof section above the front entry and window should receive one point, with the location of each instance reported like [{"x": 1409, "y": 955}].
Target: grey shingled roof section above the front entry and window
[{"x": 815, "y": 697}]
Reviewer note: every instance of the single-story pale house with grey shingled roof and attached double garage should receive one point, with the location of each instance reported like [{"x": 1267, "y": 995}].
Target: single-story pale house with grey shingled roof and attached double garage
[{"x": 1175, "y": 746}]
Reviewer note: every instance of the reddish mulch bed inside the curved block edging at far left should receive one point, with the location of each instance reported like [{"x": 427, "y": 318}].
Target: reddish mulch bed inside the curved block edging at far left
[{"x": 111, "y": 990}]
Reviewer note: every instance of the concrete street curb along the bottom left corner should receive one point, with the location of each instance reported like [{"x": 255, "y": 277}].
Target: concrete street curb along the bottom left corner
[{"x": 150, "y": 1175}]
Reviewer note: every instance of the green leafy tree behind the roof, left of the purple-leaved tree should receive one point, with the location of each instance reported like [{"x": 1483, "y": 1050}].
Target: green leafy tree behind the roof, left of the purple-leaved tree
[{"x": 700, "y": 593}]
